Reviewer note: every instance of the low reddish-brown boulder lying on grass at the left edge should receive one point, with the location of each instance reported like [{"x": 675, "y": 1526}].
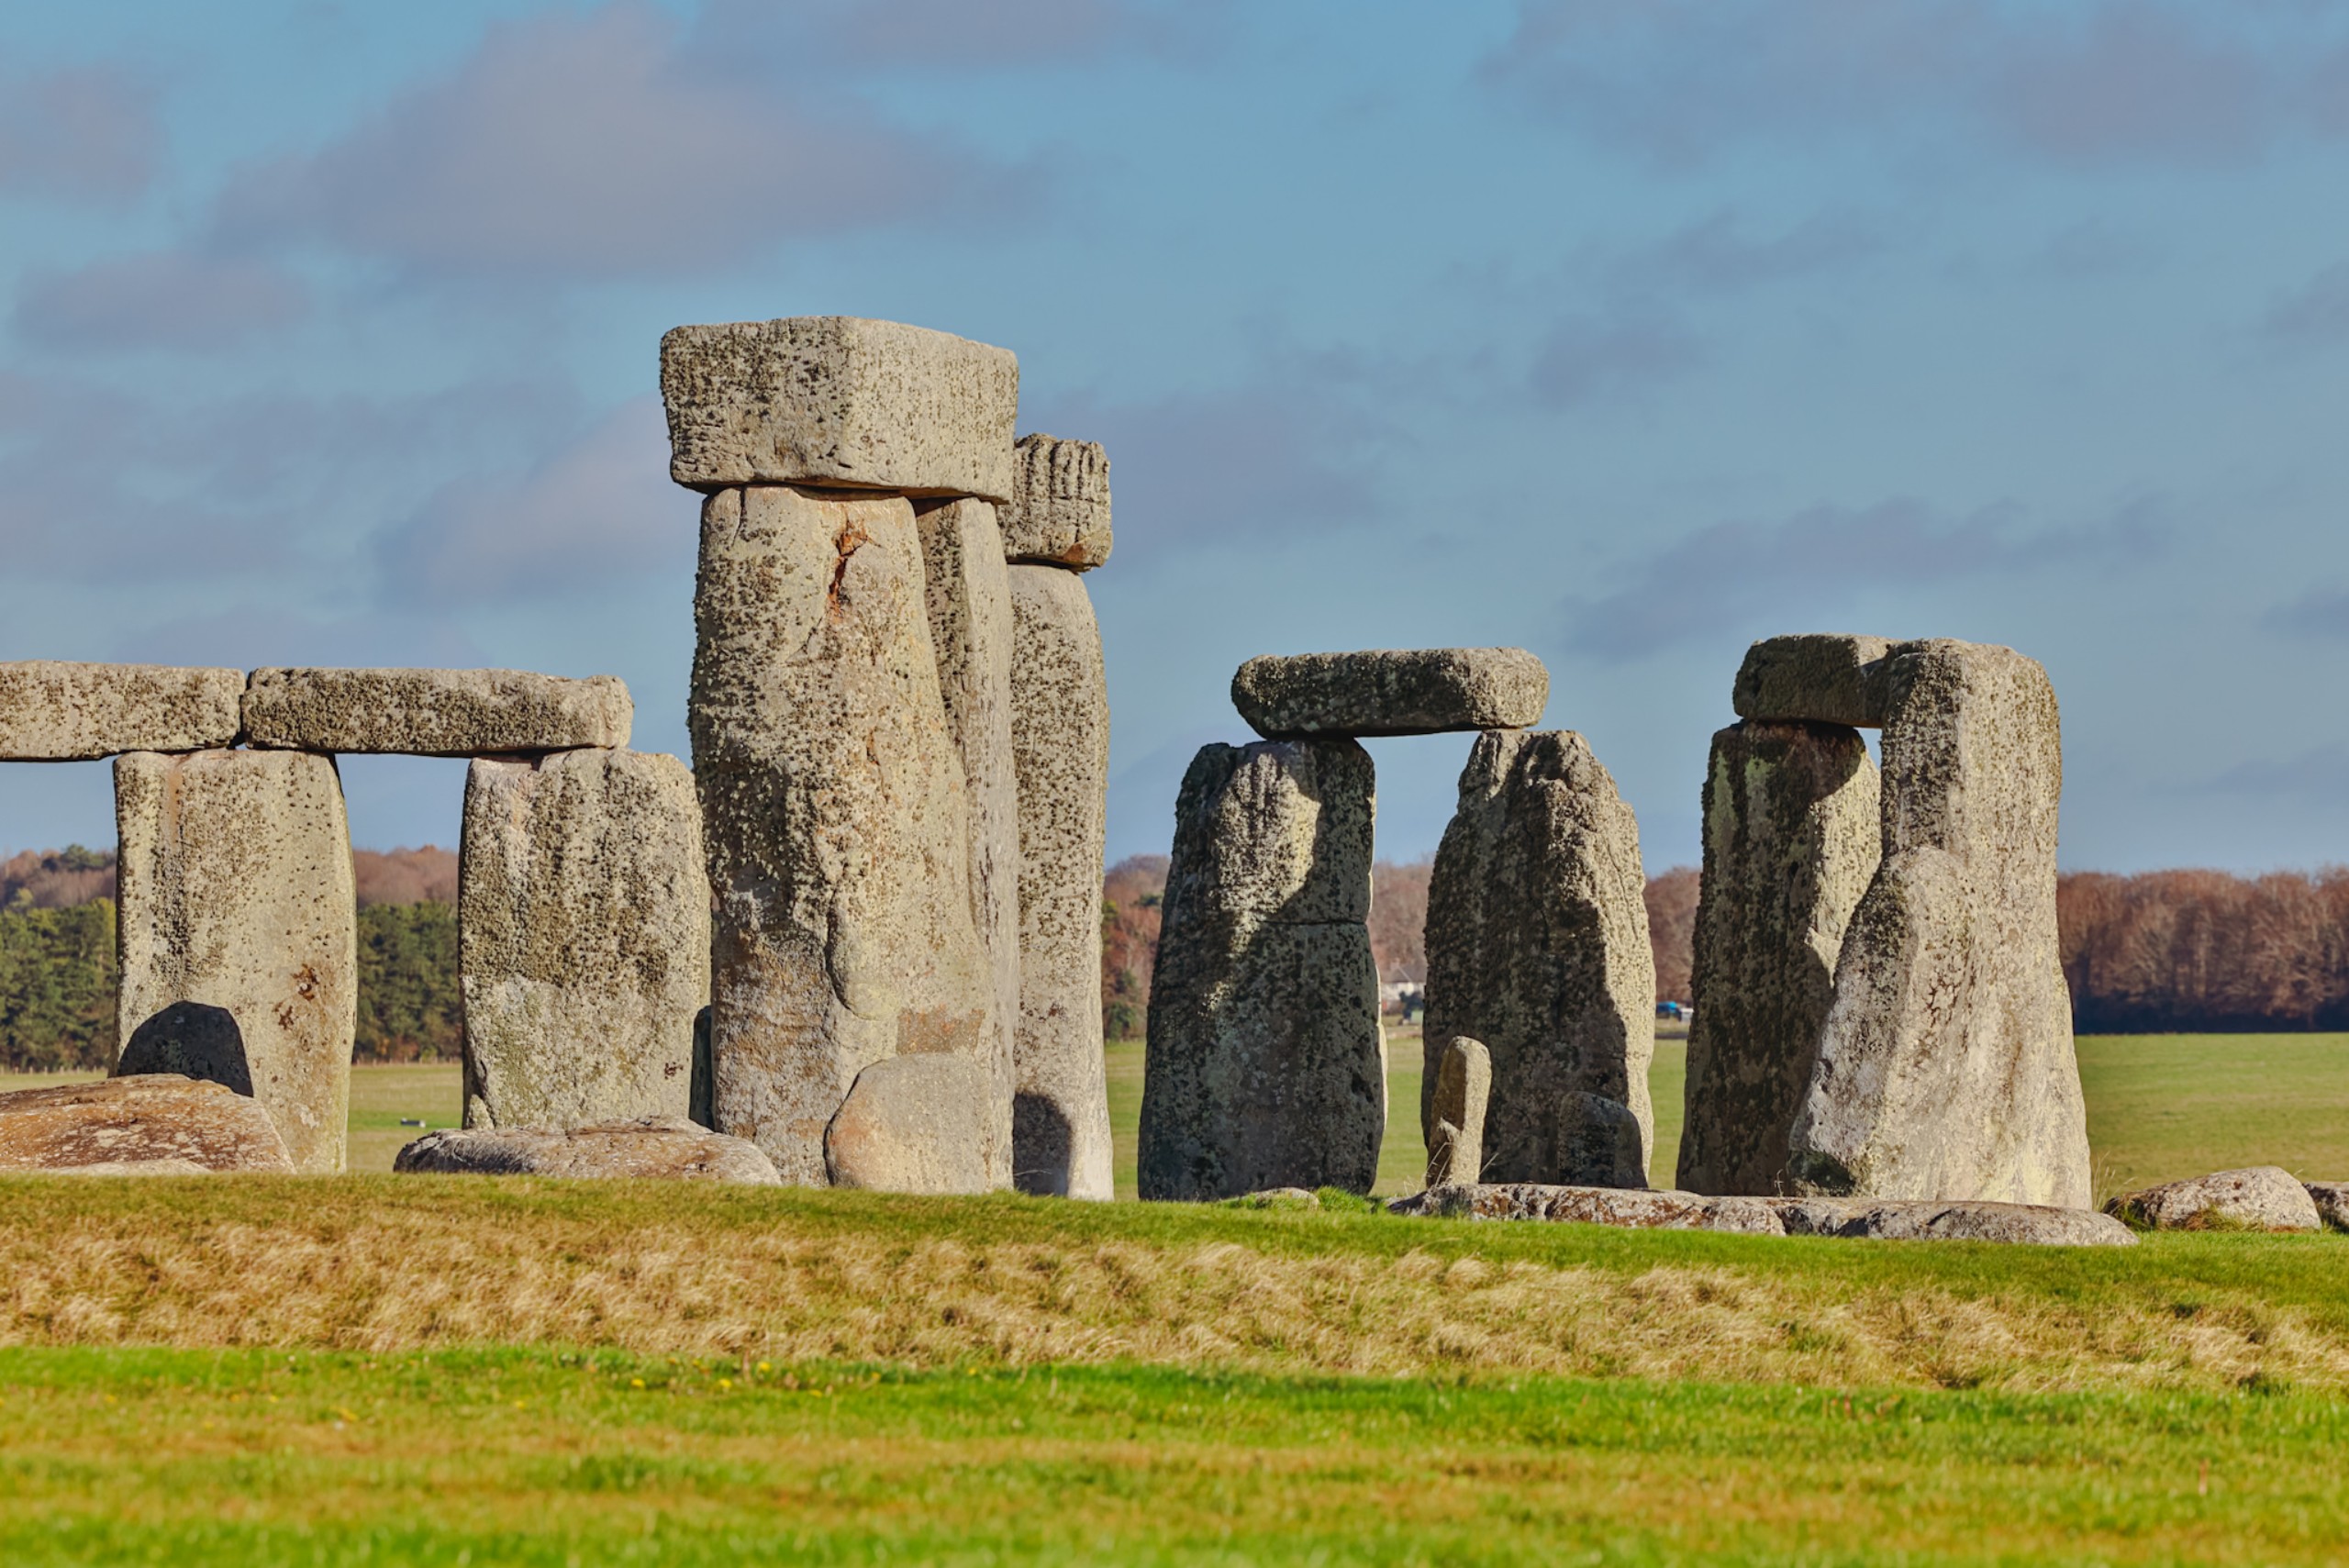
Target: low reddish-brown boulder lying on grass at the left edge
[{"x": 147, "y": 1126}]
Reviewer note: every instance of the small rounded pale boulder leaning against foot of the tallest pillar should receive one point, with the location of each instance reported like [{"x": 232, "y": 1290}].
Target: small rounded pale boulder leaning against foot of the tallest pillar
[{"x": 915, "y": 1126}]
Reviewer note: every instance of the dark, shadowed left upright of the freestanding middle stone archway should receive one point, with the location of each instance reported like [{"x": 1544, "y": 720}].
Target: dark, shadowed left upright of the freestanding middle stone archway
[{"x": 1267, "y": 1067}]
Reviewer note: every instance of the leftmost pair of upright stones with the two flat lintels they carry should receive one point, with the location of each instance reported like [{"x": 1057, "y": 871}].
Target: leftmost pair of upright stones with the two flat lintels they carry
[{"x": 238, "y": 926}]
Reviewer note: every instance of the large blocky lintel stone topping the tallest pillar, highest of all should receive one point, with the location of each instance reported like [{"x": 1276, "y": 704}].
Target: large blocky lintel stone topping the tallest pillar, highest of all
[{"x": 840, "y": 403}]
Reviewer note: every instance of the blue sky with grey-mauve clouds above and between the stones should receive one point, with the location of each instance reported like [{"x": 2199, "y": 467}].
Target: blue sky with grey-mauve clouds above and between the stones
[{"x": 1615, "y": 330}]
